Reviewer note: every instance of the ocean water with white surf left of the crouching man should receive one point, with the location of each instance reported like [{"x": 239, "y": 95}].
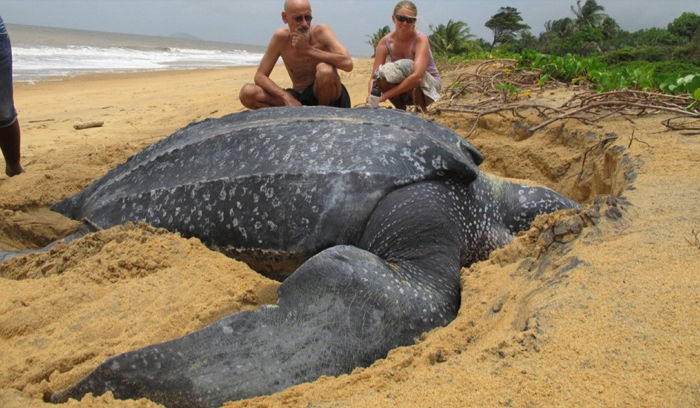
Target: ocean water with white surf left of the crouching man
[{"x": 41, "y": 53}]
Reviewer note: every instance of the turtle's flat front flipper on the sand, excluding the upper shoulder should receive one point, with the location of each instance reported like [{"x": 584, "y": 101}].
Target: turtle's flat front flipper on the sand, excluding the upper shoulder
[{"x": 343, "y": 308}]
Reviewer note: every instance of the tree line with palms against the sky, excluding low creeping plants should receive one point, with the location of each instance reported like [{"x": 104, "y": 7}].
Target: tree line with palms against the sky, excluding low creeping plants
[{"x": 588, "y": 32}]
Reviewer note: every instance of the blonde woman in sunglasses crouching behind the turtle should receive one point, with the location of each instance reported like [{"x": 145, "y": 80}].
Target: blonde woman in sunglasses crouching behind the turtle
[{"x": 404, "y": 69}]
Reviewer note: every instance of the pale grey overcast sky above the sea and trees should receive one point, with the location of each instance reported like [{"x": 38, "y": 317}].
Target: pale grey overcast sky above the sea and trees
[{"x": 252, "y": 21}]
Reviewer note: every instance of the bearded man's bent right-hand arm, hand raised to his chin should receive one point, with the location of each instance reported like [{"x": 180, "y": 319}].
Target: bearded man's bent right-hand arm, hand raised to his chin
[{"x": 330, "y": 50}]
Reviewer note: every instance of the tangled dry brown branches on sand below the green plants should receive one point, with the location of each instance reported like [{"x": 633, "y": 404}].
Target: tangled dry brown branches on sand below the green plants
[{"x": 497, "y": 85}]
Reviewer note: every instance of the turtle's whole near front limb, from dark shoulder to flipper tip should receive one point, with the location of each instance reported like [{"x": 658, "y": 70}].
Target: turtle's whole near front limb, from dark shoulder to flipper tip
[{"x": 343, "y": 308}]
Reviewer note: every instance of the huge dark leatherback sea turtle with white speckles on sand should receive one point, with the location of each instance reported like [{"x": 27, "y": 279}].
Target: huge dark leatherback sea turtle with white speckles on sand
[{"x": 369, "y": 212}]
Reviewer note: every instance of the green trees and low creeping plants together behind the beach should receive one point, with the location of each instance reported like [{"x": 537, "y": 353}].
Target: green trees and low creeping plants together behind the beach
[{"x": 586, "y": 47}]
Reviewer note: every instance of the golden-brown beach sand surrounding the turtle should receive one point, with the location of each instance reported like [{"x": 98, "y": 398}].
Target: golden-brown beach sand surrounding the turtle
[{"x": 599, "y": 308}]
